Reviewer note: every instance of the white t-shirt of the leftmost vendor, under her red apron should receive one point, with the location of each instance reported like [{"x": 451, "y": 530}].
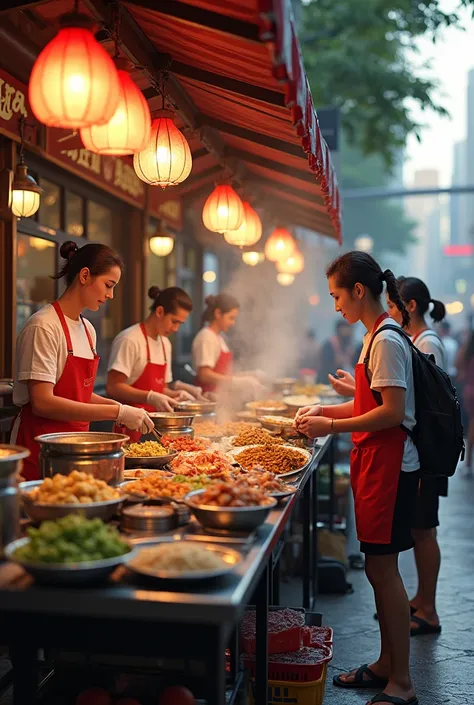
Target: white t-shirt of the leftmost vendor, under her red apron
[{"x": 41, "y": 350}]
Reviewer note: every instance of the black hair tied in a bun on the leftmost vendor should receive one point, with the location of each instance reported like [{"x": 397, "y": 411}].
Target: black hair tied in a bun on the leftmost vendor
[{"x": 98, "y": 259}]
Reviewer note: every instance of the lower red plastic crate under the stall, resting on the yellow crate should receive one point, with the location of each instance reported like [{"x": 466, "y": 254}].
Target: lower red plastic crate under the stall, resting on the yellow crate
[{"x": 302, "y": 666}]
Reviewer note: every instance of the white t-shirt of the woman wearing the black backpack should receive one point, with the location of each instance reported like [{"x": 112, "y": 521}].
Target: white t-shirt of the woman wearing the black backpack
[{"x": 390, "y": 366}]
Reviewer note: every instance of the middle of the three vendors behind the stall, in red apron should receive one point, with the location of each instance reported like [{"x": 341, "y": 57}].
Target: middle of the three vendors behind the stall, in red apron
[{"x": 139, "y": 370}]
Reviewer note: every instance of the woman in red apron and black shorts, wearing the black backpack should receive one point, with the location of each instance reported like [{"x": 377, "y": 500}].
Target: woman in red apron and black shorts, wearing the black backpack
[{"x": 384, "y": 463}]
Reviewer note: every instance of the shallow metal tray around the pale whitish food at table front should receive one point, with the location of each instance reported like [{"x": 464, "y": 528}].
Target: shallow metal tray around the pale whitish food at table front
[{"x": 230, "y": 556}]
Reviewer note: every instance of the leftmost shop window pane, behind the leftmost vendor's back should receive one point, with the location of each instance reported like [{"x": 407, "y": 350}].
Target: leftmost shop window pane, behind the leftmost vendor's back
[{"x": 35, "y": 265}]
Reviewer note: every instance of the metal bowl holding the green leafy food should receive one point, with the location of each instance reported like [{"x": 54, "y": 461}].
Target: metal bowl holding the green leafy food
[{"x": 67, "y": 573}]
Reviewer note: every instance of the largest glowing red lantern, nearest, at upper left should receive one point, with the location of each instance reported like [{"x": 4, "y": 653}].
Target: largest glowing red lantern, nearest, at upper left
[{"x": 74, "y": 82}]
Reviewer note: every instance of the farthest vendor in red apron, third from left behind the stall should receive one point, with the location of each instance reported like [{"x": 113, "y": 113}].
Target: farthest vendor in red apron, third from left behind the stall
[{"x": 212, "y": 358}]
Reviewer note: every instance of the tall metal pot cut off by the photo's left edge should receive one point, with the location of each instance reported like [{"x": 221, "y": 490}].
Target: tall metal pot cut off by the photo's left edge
[{"x": 11, "y": 463}]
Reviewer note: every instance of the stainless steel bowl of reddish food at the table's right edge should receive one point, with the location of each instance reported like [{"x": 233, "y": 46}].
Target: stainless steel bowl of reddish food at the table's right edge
[{"x": 230, "y": 518}]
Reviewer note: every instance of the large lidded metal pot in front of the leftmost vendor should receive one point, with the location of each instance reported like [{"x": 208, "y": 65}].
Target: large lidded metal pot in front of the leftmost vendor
[{"x": 98, "y": 454}]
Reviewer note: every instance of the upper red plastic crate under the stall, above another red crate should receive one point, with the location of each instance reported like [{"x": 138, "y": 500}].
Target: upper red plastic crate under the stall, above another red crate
[{"x": 285, "y": 629}]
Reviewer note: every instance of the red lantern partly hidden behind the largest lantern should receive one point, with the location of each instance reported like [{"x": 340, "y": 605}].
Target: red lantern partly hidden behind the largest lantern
[{"x": 128, "y": 130}]
